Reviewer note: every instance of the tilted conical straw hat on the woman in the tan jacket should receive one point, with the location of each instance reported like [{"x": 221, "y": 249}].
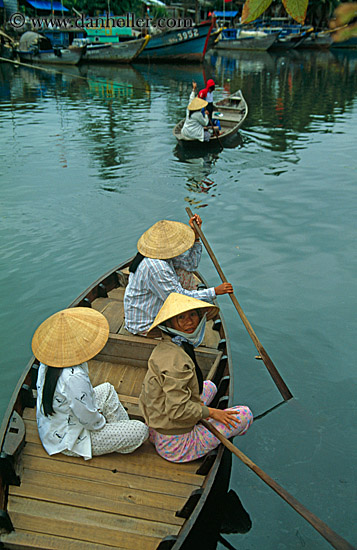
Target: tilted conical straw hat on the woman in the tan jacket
[{"x": 179, "y": 303}]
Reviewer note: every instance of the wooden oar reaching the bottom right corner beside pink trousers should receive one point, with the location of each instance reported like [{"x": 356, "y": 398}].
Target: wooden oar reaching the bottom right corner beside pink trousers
[{"x": 333, "y": 538}]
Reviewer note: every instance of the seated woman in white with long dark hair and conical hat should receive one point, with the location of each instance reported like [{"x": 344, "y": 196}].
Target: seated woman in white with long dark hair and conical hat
[{"x": 74, "y": 418}]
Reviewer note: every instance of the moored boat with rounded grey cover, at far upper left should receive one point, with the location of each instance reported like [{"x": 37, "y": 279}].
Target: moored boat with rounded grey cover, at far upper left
[{"x": 38, "y": 48}]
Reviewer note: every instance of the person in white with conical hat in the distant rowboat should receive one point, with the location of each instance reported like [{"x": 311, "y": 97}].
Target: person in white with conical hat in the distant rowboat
[{"x": 197, "y": 120}]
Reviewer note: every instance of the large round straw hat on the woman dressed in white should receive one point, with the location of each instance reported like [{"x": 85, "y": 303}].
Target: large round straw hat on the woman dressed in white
[{"x": 70, "y": 337}]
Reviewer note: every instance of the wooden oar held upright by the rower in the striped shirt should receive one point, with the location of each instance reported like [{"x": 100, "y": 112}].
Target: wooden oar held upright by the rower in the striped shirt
[{"x": 282, "y": 387}]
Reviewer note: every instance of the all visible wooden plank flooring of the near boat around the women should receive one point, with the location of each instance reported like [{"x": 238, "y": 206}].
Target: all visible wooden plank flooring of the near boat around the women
[{"x": 112, "y": 501}]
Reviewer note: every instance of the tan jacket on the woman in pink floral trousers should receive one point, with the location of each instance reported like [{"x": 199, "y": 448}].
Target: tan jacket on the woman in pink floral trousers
[{"x": 169, "y": 399}]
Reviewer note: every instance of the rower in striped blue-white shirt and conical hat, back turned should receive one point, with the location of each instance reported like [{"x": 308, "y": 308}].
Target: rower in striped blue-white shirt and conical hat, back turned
[{"x": 168, "y": 254}]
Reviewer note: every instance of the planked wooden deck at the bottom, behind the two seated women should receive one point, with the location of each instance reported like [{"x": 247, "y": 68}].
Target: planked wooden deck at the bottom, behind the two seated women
[{"x": 121, "y": 501}]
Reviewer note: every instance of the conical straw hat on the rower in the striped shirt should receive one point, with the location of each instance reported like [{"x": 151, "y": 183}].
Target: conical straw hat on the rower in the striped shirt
[{"x": 166, "y": 239}]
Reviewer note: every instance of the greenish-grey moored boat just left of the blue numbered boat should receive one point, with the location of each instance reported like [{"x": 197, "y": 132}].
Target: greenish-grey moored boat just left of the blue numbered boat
[{"x": 120, "y": 52}]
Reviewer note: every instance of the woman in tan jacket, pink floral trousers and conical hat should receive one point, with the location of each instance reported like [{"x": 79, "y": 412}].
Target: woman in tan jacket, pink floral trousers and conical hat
[{"x": 174, "y": 396}]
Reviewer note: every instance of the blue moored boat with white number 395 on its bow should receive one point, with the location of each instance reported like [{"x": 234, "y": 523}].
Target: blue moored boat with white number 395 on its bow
[{"x": 181, "y": 44}]
